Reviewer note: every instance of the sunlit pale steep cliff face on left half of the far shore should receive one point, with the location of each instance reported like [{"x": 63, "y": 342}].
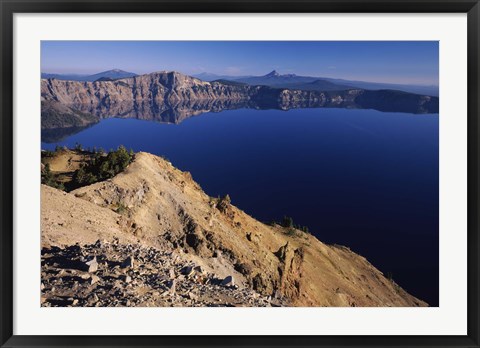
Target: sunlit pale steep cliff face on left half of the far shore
[{"x": 154, "y": 90}]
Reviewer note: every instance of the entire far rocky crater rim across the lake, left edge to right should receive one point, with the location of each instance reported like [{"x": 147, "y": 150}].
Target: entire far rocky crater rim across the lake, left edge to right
[{"x": 76, "y": 103}]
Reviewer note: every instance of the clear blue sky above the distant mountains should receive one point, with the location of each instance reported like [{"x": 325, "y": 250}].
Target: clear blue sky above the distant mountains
[{"x": 406, "y": 62}]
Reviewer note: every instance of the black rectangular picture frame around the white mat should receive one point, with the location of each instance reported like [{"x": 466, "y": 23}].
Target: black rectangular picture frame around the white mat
[{"x": 9, "y": 8}]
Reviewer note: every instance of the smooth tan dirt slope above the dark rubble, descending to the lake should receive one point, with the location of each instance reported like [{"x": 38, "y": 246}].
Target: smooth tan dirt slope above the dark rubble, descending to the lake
[{"x": 162, "y": 206}]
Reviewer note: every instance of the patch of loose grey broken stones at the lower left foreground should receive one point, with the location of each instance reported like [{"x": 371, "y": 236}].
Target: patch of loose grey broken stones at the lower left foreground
[{"x": 160, "y": 278}]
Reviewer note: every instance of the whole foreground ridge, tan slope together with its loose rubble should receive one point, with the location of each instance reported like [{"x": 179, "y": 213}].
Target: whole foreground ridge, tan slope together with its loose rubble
[{"x": 151, "y": 237}]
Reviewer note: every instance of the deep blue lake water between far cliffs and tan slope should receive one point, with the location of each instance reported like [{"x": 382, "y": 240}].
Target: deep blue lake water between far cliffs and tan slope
[{"x": 361, "y": 178}]
